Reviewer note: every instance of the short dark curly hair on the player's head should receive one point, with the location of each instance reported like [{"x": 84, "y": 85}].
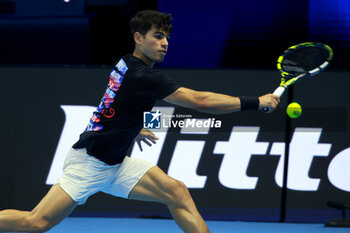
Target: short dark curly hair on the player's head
[{"x": 143, "y": 21}]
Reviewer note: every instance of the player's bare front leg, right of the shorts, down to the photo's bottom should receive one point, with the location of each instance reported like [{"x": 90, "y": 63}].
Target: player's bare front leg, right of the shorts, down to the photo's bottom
[{"x": 157, "y": 186}]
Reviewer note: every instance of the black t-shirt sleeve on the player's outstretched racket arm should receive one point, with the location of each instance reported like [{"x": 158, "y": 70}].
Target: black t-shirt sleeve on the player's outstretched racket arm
[{"x": 157, "y": 85}]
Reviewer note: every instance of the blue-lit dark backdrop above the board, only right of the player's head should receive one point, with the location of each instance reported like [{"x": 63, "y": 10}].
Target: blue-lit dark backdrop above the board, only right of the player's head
[{"x": 209, "y": 34}]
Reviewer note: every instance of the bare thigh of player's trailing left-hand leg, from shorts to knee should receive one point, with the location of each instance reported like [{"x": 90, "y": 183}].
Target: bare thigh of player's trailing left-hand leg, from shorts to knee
[{"x": 55, "y": 206}]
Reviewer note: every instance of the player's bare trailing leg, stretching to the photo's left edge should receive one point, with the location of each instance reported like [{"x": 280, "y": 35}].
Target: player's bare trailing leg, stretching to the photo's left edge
[{"x": 51, "y": 210}]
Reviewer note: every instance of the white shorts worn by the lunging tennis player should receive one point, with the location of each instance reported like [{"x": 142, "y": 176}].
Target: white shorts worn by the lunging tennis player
[{"x": 85, "y": 175}]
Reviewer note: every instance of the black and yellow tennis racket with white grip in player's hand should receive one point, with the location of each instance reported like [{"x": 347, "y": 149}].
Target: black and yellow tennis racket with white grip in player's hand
[{"x": 301, "y": 61}]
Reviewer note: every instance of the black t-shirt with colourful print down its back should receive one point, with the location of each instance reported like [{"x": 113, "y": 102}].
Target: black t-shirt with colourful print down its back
[{"x": 133, "y": 88}]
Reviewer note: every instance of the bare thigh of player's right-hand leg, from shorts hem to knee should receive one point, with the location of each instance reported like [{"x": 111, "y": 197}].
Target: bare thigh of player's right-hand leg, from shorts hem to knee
[{"x": 156, "y": 186}]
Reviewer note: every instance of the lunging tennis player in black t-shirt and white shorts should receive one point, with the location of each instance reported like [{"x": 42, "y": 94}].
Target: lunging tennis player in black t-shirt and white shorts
[{"x": 97, "y": 162}]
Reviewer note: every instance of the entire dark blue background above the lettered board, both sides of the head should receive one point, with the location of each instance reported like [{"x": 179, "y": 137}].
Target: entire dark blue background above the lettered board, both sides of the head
[{"x": 207, "y": 34}]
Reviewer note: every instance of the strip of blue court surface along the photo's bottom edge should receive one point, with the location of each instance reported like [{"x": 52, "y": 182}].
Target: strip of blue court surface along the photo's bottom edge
[{"x": 133, "y": 225}]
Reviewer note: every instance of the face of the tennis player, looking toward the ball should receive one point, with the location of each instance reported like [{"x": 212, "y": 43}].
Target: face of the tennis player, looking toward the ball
[{"x": 154, "y": 45}]
